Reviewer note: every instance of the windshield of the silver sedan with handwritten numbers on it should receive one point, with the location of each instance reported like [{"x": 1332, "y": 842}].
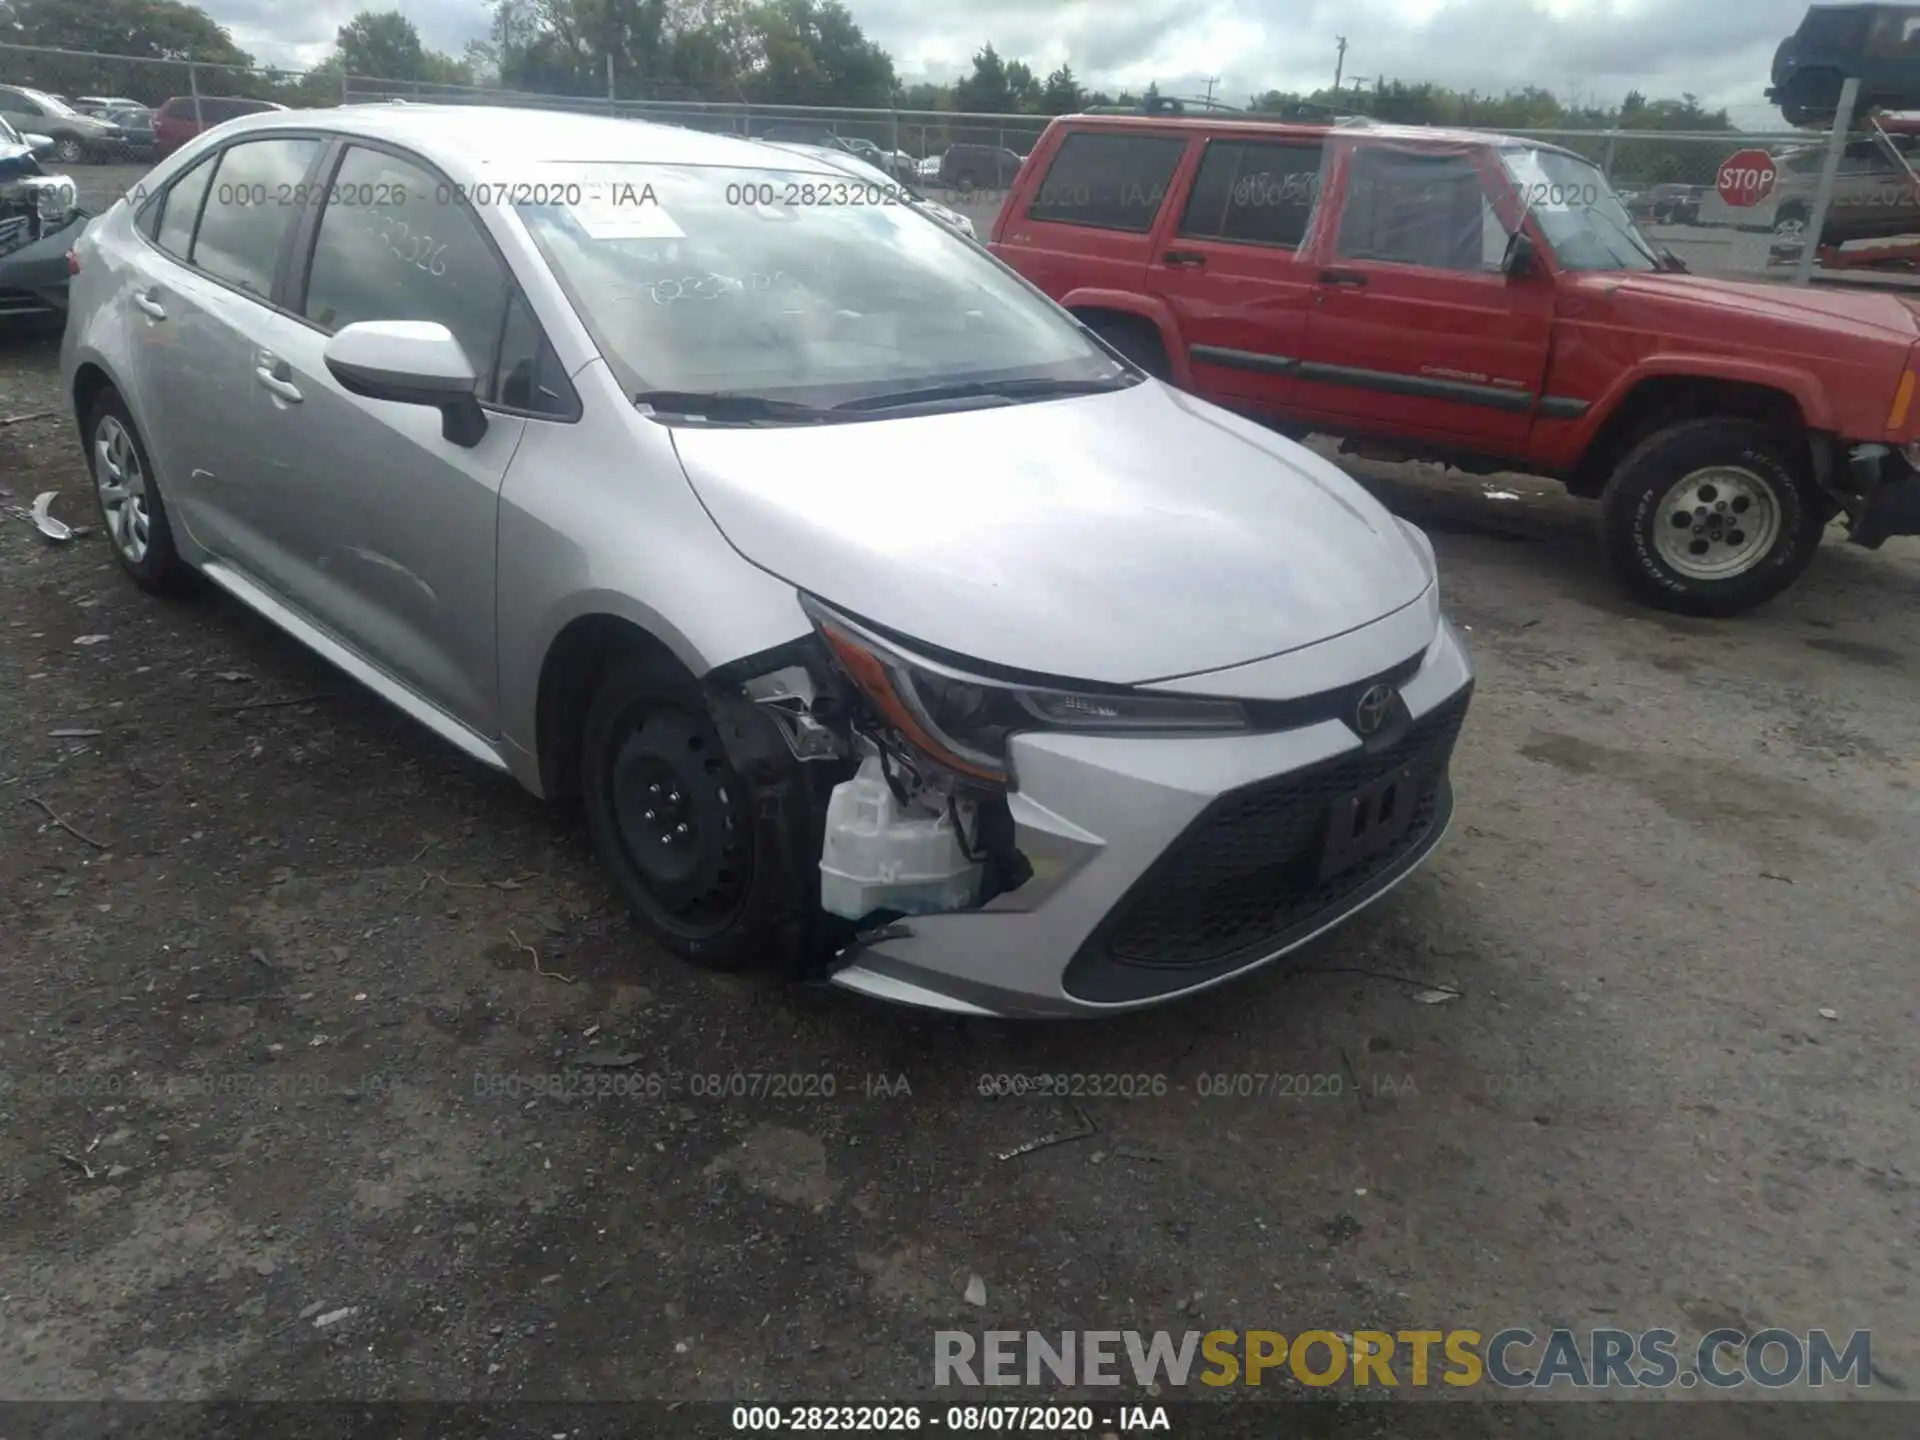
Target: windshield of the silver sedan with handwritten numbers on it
[{"x": 798, "y": 285}]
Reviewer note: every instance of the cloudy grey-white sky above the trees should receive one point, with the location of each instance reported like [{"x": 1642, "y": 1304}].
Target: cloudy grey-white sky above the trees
[{"x": 1596, "y": 49}]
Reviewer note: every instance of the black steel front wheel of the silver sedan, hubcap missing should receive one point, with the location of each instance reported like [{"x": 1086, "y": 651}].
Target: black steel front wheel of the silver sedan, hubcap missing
[{"x": 702, "y": 863}]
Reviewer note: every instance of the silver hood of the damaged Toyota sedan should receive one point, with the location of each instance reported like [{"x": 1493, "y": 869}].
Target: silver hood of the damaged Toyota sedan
[{"x": 1115, "y": 539}]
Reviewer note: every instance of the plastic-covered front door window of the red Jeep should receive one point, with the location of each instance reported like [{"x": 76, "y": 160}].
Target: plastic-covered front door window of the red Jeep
[{"x": 1420, "y": 208}]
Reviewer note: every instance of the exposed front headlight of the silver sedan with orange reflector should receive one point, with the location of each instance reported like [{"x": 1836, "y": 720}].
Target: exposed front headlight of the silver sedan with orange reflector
[{"x": 965, "y": 721}]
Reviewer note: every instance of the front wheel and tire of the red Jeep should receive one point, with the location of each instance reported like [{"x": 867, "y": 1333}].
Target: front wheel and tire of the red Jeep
[{"x": 1712, "y": 517}]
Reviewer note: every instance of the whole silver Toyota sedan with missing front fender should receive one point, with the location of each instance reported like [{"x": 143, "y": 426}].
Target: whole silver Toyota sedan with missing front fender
[{"x": 890, "y": 629}]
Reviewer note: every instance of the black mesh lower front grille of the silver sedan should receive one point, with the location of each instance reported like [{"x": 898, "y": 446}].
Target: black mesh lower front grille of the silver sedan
[{"x": 1247, "y": 875}]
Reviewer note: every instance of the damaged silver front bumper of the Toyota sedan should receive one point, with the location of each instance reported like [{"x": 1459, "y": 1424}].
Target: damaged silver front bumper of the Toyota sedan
[{"x": 1168, "y": 865}]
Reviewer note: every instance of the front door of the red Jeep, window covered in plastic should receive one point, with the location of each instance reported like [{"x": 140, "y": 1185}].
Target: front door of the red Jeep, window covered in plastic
[{"x": 1414, "y": 325}]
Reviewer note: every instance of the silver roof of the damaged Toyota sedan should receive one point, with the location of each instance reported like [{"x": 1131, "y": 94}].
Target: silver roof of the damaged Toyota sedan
[{"x": 468, "y": 139}]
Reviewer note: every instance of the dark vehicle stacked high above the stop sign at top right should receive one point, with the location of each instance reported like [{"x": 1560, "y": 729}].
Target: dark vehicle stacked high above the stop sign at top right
[{"x": 1881, "y": 45}]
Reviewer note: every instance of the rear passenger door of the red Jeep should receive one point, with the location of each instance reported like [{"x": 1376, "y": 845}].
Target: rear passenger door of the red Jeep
[{"x": 1232, "y": 274}]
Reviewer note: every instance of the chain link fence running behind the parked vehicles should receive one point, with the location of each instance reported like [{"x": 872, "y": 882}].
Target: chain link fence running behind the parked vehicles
[{"x": 1666, "y": 180}]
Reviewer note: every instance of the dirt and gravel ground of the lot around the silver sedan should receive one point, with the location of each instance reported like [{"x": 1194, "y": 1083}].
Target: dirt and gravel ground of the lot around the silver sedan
[{"x": 281, "y": 986}]
